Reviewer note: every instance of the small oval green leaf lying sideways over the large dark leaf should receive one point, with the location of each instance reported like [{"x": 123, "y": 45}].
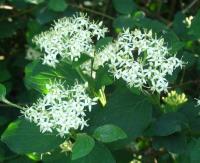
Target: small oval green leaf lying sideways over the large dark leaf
[{"x": 109, "y": 133}]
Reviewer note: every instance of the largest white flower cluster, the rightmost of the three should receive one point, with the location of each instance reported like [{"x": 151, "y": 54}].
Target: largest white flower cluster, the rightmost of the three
[{"x": 139, "y": 58}]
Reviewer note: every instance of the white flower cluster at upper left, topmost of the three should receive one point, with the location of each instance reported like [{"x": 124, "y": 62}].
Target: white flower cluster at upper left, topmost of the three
[{"x": 69, "y": 38}]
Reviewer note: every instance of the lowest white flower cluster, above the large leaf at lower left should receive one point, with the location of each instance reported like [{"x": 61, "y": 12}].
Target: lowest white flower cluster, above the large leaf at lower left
[{"x": 61, "y": 109}]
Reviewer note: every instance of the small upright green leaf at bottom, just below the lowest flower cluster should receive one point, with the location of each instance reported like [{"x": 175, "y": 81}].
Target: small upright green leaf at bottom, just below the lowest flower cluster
[{"x": 82, "y": 146}]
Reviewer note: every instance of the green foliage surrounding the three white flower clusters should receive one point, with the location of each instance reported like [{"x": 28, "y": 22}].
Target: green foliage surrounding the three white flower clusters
[{"x": 127, "y": 124}]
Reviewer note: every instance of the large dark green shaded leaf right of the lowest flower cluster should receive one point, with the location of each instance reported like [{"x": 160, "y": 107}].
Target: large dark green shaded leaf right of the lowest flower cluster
[{"x": 132, "y": 113}]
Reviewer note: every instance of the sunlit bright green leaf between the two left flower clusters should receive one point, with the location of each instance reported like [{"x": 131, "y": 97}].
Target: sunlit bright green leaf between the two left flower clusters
[{"x": 38, "y": 75}]
